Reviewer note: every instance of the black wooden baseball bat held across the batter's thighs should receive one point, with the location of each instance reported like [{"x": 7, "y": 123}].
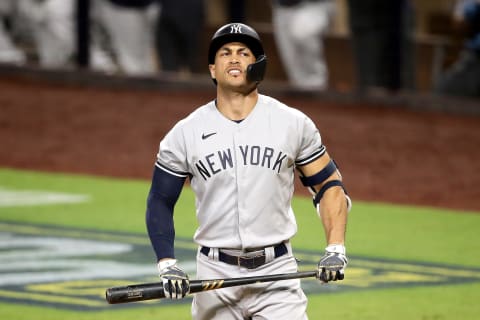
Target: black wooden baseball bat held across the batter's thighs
[{"x": 154, "y": 290}]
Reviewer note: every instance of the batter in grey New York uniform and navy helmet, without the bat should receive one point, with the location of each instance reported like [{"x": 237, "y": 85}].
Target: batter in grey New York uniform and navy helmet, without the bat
[{"x": 240, "y": 153}]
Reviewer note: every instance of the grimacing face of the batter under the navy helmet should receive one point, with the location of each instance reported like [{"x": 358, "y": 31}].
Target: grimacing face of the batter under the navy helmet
[{"x": 231, "y": 62}]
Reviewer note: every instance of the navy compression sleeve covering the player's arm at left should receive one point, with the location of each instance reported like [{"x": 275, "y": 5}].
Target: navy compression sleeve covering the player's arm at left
[{"x": 163, "y": 195}]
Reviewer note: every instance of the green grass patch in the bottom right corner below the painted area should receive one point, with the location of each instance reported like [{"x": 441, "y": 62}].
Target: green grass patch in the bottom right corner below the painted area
[{"x": 419, "y": 303}]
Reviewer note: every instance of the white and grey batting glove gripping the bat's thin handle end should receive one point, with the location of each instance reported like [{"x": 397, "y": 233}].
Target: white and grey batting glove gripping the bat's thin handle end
[{"x": 333, "y": 263}]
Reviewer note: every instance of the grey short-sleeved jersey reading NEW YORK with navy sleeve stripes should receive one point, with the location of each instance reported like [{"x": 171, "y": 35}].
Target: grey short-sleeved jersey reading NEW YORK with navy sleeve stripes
[{"x": 242, "y": 173}]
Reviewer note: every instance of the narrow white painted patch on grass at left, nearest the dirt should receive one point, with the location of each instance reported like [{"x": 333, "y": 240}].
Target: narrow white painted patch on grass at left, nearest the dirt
[{"x": 16, "y": 198}]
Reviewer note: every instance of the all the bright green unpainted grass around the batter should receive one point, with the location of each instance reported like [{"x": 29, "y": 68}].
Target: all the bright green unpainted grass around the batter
[{"x": 404, "y": 233}]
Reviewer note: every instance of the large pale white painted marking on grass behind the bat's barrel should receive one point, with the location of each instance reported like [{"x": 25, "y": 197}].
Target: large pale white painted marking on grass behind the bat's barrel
[{"x": 29, "y": 260}]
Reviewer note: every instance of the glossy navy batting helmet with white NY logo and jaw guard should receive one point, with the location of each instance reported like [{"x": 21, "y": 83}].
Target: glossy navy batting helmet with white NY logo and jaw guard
[{"x": 239, "y": 32}]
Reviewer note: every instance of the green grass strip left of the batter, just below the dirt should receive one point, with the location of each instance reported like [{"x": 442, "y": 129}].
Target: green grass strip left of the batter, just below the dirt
[{"x": 115, "y": 204}]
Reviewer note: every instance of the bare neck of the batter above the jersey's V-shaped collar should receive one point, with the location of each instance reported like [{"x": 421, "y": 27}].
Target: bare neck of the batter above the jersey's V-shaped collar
[{"x": 236, "y": 106}]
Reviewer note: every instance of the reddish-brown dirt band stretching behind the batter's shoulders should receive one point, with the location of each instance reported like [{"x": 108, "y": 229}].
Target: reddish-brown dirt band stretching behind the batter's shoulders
[{"x": 387, "y": 154}]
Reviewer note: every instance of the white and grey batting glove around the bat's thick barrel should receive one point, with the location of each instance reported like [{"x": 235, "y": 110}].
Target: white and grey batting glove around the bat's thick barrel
[{"x": 176, "y": 284}]
